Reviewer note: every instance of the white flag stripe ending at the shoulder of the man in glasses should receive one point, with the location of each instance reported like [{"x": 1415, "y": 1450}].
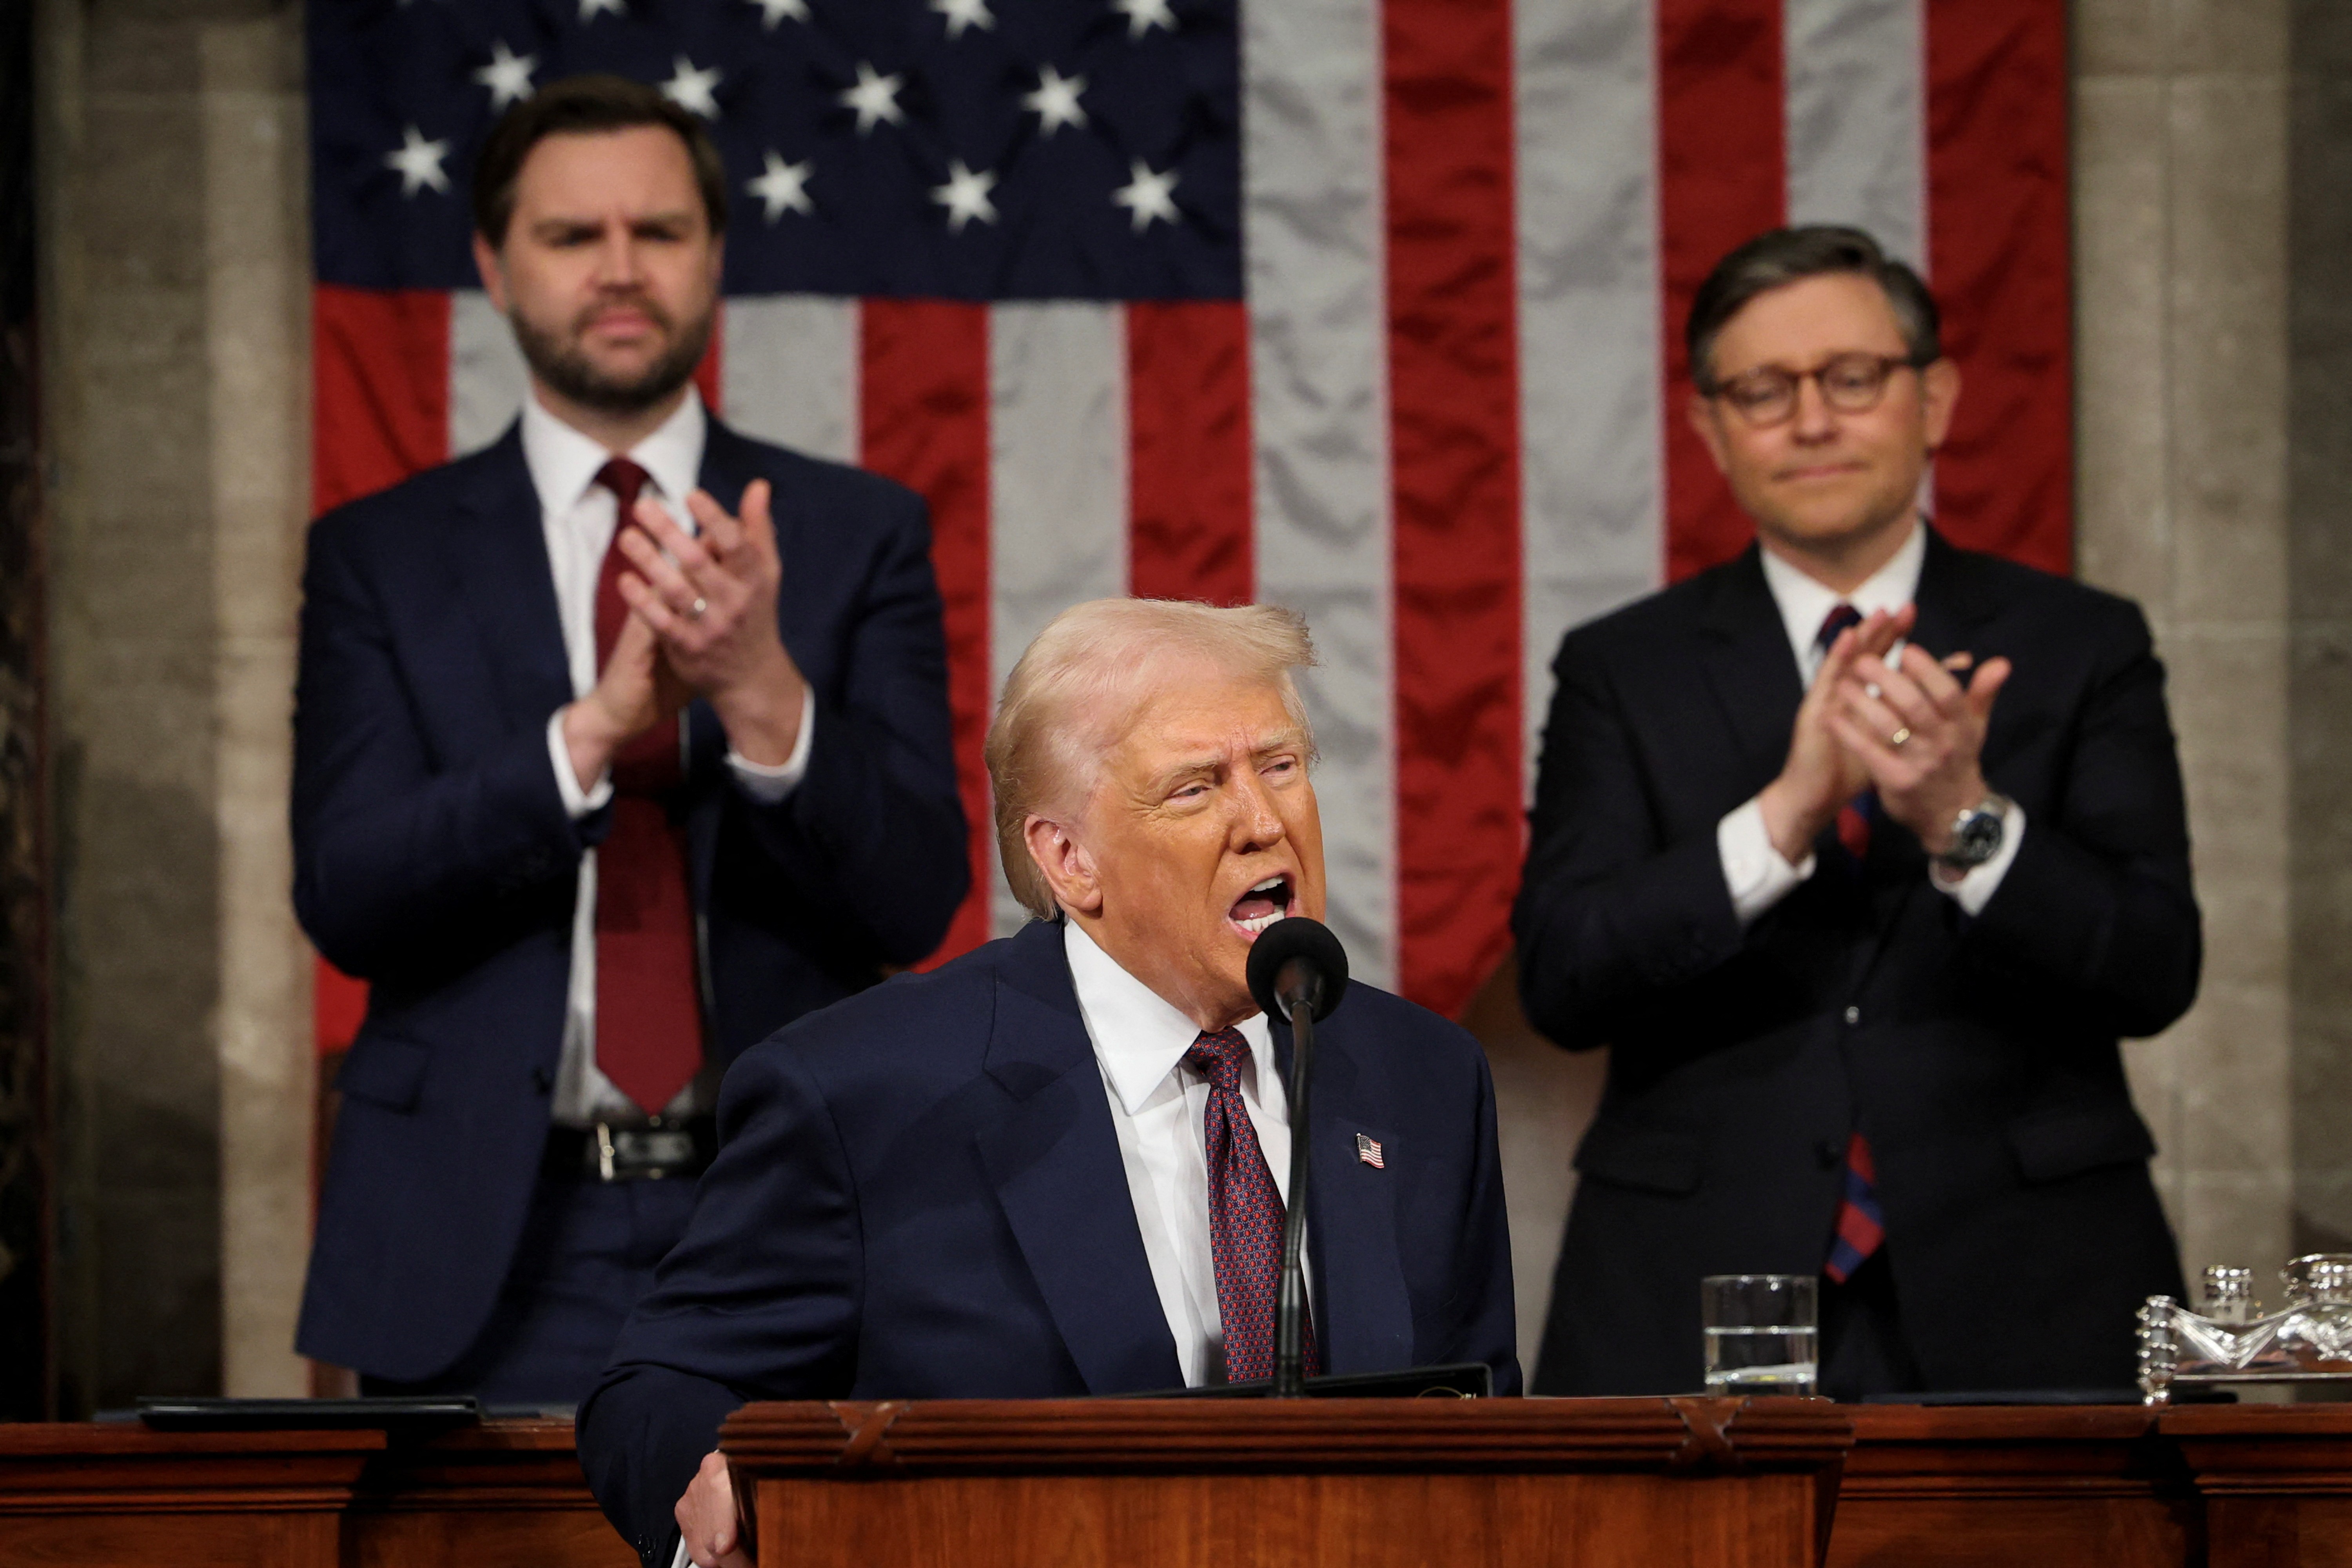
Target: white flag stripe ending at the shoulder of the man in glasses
[{"x": 1589, "y": 323}]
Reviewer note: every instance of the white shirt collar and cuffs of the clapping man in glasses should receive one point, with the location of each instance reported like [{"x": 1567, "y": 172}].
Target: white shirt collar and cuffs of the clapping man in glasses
[{"x": 1756, "y": 873}]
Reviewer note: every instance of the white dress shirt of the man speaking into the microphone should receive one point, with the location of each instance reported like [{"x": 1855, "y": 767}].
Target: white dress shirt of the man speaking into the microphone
[{"x": 1161, "y": 1113}]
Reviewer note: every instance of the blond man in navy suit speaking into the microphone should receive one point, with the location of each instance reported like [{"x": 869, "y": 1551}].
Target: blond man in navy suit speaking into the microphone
[{"x": 1060, "y": 1165}]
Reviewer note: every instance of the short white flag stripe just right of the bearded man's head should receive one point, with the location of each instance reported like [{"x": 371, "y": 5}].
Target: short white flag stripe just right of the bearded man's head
[{"x": 789, "y": 370}]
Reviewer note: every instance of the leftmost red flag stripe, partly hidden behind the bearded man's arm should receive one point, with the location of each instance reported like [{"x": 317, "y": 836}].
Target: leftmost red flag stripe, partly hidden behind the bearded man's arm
[{"x": 380, "y": 413}]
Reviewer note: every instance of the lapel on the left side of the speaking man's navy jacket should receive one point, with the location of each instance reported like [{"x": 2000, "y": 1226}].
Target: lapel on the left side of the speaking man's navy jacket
[{"x": 1055, "y": 1162}]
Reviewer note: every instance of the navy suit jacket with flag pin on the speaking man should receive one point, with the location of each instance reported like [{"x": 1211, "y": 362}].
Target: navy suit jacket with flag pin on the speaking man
[{"x": 921, "y": 1198}]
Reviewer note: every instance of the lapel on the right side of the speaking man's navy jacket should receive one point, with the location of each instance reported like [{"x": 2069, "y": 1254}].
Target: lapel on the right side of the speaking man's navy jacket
[{"x": 1363, "y": 1311}]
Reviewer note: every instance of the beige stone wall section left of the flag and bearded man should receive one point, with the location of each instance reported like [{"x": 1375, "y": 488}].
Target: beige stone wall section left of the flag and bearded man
[{"x": 175, "y": 307}]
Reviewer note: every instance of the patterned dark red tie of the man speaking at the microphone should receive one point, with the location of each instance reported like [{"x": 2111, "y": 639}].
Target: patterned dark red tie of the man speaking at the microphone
[{"x": 1245, "y": 1217}]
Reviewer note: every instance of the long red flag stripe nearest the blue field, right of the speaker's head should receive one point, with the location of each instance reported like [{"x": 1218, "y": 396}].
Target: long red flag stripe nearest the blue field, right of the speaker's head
[{"x": 1455, "y": 413}]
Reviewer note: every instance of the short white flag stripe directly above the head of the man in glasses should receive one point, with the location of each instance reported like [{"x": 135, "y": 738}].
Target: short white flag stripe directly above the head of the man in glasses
[{"x": 1857, "y": 130}]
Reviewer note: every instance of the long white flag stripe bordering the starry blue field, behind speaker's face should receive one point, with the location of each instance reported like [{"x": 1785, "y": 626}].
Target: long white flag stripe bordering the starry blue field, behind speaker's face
[{"x": 1311, "y": 201}]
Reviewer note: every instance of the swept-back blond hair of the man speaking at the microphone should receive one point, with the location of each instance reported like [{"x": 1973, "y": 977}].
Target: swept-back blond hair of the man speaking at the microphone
[{"x": 1083, "y": 681}]
